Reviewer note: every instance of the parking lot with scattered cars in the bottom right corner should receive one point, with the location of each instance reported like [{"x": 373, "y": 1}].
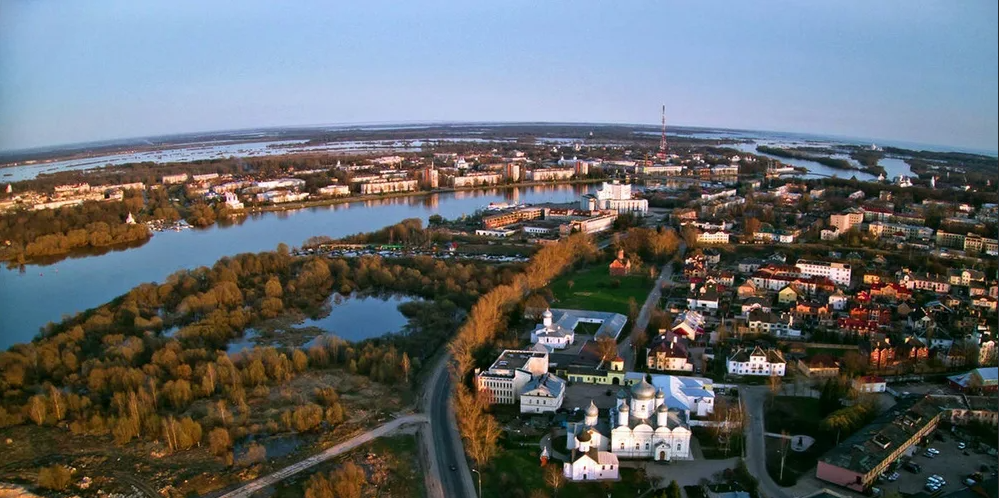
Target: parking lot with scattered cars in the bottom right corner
[{"x": 951, "y": 464}]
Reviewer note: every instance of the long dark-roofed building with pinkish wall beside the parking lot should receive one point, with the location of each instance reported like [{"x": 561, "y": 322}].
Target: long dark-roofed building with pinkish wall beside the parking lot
[{"x": 858, "y": 460}]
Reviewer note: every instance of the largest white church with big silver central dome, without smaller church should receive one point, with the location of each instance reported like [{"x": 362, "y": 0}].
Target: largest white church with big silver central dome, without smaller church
[{"x": 645, "y": 426}]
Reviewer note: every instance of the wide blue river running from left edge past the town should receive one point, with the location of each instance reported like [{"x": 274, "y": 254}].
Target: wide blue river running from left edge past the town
[{"x": 36, "y": 295}]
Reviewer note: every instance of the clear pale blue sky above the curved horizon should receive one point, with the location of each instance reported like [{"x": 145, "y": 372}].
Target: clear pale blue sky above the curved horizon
[{"x": 906, "y": 70}]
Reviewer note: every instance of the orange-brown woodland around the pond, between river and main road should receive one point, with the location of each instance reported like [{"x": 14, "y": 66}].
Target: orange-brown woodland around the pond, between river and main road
[{"x": 151, "y": 365}]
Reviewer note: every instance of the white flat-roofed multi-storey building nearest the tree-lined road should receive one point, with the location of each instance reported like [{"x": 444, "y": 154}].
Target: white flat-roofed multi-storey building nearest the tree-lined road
[{"x": 510, "y": 373}]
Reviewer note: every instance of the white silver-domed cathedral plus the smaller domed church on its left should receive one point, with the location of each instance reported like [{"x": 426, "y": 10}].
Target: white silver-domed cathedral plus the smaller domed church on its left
[{"x": 642, "y": 426}]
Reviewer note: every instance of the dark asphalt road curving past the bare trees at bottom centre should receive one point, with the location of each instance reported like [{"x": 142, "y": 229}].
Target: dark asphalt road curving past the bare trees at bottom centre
[{"x": 445, "y": 440}]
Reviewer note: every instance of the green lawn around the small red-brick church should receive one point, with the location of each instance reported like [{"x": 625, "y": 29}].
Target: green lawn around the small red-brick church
[{"x": 593, "y": 289}]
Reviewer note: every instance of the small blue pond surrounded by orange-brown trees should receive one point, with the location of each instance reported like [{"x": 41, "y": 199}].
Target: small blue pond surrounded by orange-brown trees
[{"x": 355, "y": 318}]
